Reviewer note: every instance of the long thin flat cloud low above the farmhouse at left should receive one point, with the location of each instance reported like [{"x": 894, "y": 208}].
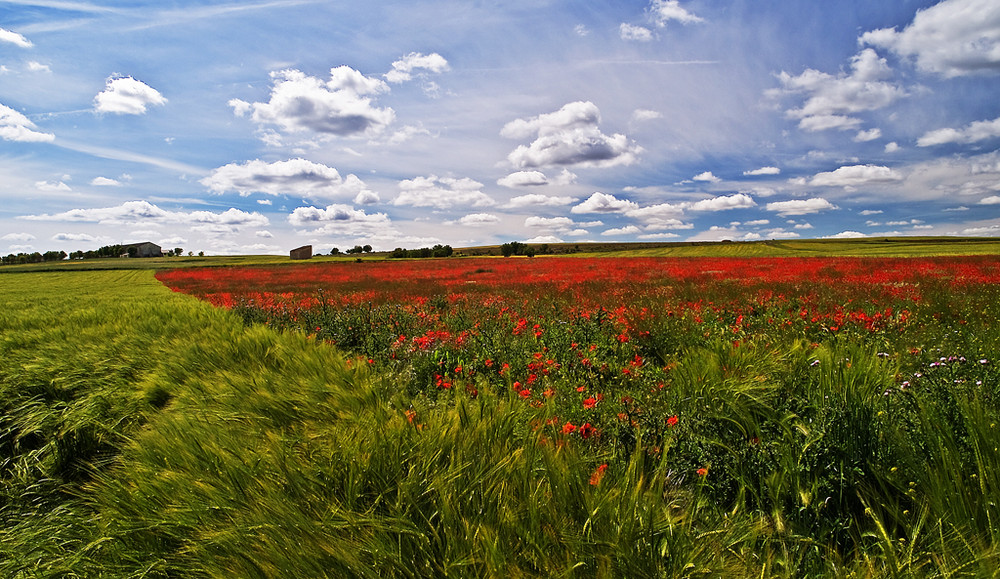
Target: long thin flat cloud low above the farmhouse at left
[{"x": 132, "y": 212}]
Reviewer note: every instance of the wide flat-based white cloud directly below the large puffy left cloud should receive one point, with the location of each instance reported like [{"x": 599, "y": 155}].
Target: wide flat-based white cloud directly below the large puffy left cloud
[{"x": 293, "y": 177}]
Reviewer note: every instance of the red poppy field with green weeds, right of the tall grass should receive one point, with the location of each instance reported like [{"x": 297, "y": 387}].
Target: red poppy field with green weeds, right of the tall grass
[{"x": 811, "y": 390}]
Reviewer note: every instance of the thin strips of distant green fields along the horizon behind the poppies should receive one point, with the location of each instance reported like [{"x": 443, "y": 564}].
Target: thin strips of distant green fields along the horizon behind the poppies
[{"x": 867, "y": 247}]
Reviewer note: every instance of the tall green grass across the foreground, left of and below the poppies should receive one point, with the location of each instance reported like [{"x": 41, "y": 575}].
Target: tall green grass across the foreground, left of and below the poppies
[{"x": 146, "y": 434}]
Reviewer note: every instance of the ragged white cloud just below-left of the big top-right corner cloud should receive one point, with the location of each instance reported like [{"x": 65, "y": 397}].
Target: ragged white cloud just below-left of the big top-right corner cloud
[{"x": 831, "y": 99}]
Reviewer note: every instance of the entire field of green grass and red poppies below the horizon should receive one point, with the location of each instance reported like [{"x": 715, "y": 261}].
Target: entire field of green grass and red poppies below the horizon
[{"x": 626, "y": 416}]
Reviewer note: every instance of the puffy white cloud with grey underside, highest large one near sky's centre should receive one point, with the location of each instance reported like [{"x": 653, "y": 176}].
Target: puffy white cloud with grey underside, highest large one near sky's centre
[{"x": 567, "y": 137}]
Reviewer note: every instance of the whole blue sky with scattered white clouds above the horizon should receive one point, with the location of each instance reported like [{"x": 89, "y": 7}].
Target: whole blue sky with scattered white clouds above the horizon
[{"x": 256, "y": 127}]
